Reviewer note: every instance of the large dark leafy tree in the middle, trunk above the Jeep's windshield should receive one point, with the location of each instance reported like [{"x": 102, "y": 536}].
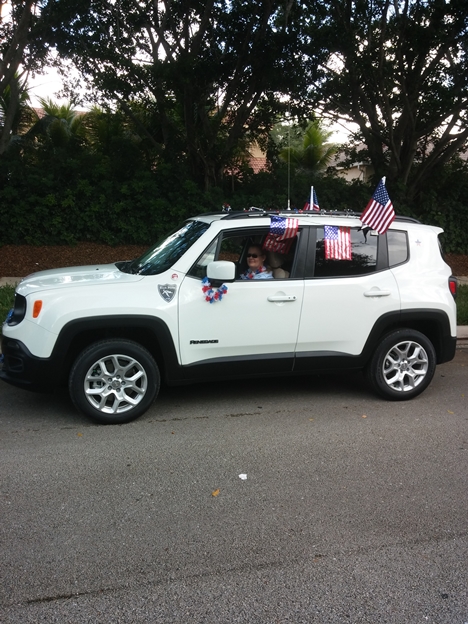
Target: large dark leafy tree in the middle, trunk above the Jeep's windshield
[{"x": 211, "y": 71}]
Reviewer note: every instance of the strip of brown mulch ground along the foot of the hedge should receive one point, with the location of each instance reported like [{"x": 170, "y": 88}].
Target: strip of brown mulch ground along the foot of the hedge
[{"x": 20, "y": 260}]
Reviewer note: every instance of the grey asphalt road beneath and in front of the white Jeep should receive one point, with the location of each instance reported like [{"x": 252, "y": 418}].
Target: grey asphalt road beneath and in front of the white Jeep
[{"x": 353, "y": 510}]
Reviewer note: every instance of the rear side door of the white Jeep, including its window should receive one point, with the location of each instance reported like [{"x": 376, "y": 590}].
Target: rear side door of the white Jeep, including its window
[{"x": 343, "y": 298}]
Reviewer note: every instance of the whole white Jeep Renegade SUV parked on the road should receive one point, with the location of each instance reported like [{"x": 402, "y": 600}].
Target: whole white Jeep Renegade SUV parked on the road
[{"x": 113, "y": 331}]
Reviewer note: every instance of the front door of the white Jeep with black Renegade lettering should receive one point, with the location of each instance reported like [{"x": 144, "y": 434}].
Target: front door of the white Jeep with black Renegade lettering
[{"x": 253, "y": 329}]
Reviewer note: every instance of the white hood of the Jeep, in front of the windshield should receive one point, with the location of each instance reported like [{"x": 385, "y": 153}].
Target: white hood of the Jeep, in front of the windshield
[{"x": 98, "y": 274}]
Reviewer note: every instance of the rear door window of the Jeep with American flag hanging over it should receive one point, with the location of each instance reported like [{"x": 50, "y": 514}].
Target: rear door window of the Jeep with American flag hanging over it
[{"x": 344, "y": 251}]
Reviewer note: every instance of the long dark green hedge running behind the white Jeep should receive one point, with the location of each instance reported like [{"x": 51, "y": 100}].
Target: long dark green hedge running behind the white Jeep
[{"x": 62, "y": 196}]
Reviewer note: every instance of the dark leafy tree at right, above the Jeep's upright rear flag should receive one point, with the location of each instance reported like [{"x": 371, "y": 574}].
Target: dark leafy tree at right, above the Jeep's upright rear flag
[{"x": 399, "y": 70}]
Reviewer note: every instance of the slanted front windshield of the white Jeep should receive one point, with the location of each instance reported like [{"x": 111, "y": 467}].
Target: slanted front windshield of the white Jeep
[{"x": 166, "y": 251}]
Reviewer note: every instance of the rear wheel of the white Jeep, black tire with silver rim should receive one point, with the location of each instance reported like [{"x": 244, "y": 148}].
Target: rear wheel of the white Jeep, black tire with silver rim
[{"x": 403, "y": 365}]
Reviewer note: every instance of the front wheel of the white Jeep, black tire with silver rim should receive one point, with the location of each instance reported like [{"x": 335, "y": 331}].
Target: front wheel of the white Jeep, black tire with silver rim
[{"x": 114, "y": 381}]
